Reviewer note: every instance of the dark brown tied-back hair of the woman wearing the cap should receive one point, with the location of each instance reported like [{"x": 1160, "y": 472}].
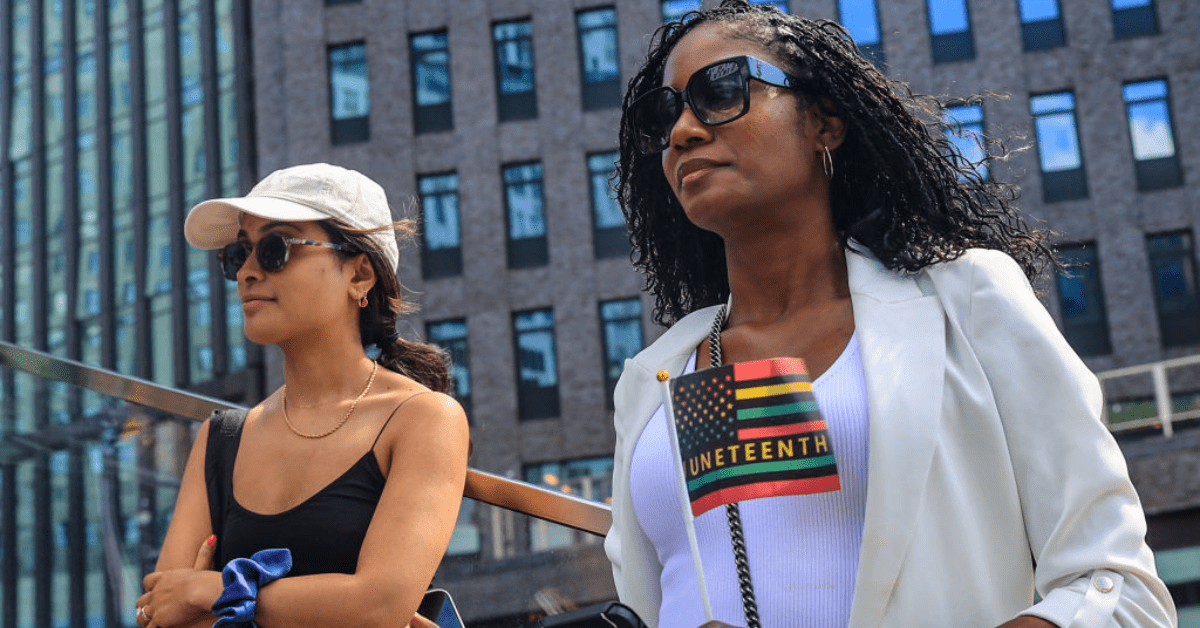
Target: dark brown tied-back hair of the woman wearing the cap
[{"x": 423, "y": 362}]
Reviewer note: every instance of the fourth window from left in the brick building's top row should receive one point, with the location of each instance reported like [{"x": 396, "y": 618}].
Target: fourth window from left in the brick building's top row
[{"x": 598, "y": 56}]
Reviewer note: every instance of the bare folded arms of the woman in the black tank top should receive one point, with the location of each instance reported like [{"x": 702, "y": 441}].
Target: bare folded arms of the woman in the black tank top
[{"x": 409, "y": 535}]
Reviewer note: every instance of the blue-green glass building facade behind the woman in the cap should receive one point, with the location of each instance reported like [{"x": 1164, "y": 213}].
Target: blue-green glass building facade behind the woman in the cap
[{"x": 116, "y": 117}]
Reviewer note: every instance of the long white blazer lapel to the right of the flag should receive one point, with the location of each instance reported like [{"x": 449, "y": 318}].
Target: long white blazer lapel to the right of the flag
[{"x": 902, "y": 334}]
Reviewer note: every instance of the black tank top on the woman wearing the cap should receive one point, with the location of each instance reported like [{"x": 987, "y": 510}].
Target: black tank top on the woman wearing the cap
[{"x": 325, "y": 533}]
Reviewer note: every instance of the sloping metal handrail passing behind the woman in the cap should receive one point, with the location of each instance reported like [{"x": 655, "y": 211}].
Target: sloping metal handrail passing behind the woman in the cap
[{"x": 519, "y": 497}]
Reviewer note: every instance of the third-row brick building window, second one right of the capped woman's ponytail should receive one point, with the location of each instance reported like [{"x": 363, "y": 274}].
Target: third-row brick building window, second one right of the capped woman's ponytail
[{"x": 537, "y": 364}]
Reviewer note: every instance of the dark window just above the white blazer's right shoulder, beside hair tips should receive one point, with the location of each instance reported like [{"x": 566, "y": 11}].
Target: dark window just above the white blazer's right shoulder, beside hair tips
[{"x": 1082, "y": 300}]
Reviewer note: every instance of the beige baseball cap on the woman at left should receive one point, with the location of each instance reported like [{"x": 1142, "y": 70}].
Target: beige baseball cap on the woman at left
[{"x": 301, "y": 194}]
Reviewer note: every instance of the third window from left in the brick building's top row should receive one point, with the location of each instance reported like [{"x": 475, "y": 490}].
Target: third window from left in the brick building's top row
[{"x": 517, "y": 94}]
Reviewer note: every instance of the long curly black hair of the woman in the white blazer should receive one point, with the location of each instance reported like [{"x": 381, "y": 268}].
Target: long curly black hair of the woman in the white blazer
[{"x": 899, "y": 188}]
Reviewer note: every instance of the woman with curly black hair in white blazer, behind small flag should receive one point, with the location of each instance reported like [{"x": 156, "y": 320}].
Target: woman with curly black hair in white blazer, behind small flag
[{"x": 787, "y": 200}]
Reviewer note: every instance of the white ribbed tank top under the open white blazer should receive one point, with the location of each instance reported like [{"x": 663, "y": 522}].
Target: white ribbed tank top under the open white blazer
[{"x": 803, "y": 551}]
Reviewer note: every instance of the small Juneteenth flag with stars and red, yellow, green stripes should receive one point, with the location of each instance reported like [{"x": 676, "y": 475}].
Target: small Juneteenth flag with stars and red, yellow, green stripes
[{"x": 752, "y": 430}]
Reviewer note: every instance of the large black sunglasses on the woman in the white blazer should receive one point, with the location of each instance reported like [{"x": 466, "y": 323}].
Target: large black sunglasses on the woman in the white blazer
[{"x": 718, "y": 94}]
